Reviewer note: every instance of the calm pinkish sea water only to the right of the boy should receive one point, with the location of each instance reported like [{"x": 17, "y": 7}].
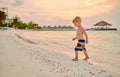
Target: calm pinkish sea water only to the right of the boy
[{"x": 104, "y": 48}]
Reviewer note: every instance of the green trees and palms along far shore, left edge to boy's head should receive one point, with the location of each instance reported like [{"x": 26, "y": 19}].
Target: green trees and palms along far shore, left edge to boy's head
[{"x": 17, "y": 23}]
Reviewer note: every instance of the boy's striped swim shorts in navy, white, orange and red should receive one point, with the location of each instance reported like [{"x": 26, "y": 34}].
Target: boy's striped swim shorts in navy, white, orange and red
[{"x": 80, "y": 46}]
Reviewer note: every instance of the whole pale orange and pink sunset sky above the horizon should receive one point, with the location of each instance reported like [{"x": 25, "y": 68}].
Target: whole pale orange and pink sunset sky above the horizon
[{"x": 62, "y": 12}]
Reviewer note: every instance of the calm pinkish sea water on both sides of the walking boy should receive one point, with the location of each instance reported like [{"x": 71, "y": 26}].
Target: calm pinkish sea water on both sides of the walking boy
[{"x": 103, "y": 47}]
